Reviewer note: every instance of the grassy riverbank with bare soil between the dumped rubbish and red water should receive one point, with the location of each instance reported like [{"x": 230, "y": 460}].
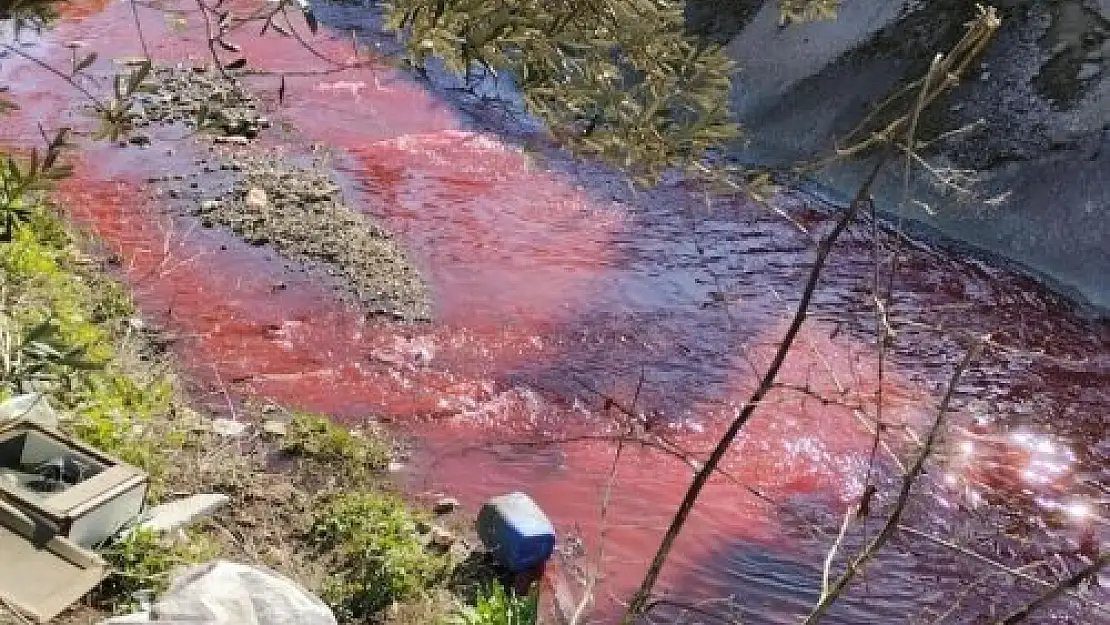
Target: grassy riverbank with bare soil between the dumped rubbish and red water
[{"x": 308, "y": 499}]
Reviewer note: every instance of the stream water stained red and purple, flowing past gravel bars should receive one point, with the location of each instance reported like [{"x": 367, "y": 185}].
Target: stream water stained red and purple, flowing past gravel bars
[{"x": 556, "y": 288}]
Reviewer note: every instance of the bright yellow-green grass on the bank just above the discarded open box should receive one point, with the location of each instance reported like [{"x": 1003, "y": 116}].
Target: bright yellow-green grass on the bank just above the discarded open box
[{"x": 77, "y": 360}]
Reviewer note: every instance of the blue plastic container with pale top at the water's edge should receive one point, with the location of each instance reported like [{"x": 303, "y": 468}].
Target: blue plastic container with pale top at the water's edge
[{"x": 517, "y": 531}]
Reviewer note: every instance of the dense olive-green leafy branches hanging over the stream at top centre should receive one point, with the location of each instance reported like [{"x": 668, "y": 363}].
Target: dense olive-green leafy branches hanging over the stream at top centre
[{"x": 617, "y": 79}]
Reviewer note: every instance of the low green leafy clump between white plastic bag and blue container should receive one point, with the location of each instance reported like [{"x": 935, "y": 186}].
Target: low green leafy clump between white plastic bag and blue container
[{"x": 378, "y": 555}]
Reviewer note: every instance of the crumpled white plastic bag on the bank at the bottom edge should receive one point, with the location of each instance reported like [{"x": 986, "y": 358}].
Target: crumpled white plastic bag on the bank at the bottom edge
[{"x": 225, "y": 593}]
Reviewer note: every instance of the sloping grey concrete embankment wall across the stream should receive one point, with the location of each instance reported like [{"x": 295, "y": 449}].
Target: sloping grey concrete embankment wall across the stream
[{"x": 1042, "y": 156}]
